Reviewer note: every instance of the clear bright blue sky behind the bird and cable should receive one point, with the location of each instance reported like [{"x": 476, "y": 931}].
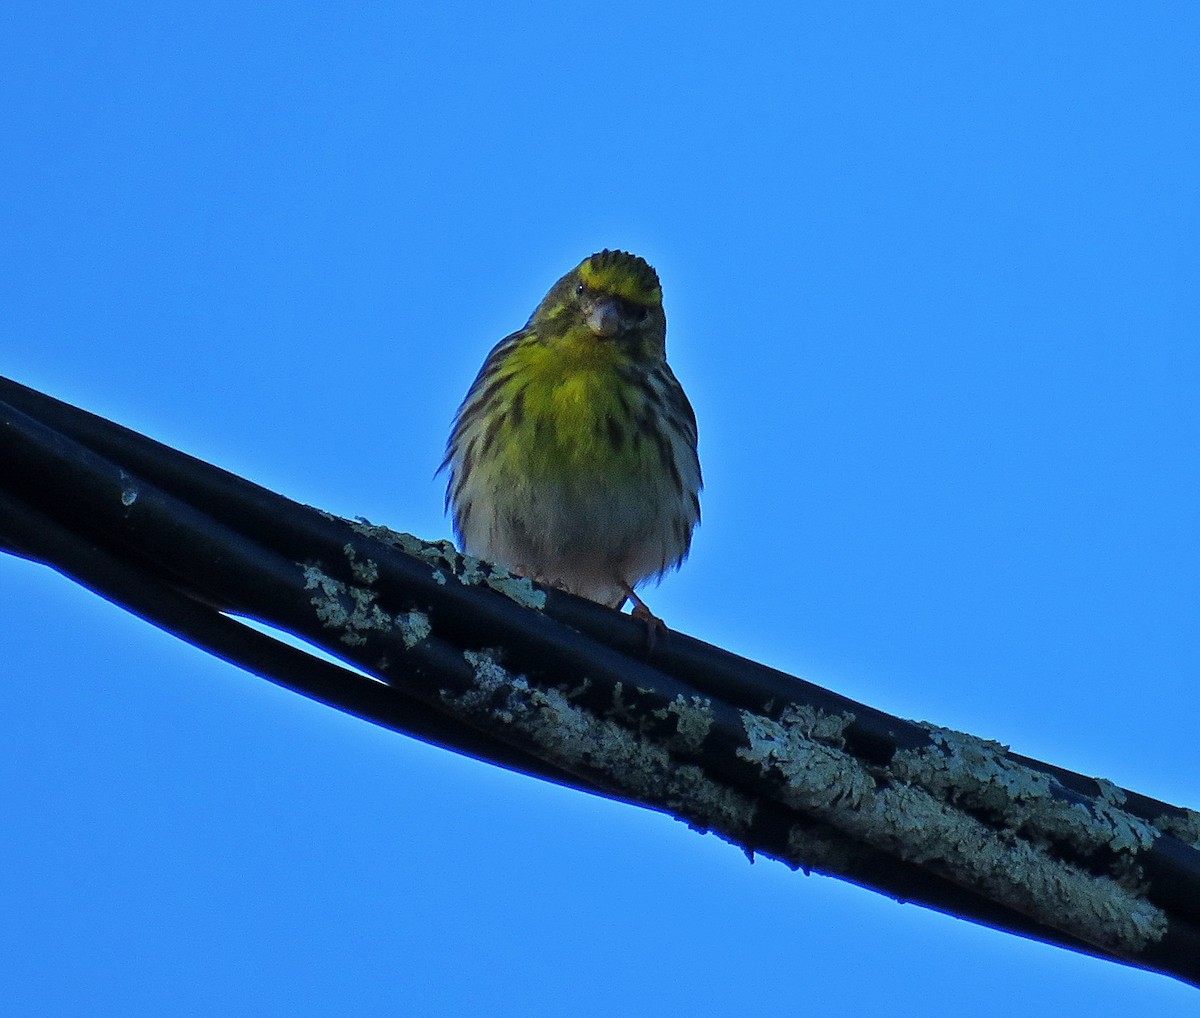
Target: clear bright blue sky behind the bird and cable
[{"x": 931, "y": 277}]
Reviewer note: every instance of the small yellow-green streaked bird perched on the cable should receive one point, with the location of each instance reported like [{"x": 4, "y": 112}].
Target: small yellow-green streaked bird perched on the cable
[{"x": 573, "y": 460}]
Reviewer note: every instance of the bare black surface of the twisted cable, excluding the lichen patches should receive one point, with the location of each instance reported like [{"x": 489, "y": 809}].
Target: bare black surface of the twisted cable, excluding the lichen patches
[{"x": 175, "y": 540}]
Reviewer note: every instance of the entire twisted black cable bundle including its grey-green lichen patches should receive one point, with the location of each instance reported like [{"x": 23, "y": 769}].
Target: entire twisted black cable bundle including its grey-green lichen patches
[{"x": 471, "y": 658}]
